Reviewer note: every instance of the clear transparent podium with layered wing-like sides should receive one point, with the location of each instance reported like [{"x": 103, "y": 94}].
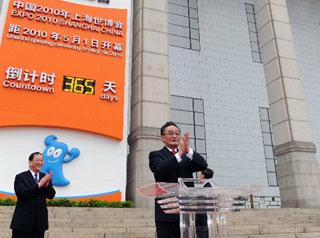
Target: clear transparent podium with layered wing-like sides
[{"x": 202, "y": 209}]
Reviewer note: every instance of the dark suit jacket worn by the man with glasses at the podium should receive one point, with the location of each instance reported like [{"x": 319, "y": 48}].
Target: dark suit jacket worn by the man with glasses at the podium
[{"x": 166, "y": 168}]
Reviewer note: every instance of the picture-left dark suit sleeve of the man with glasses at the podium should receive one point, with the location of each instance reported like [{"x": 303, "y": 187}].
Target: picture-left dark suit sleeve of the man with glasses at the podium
[{"x": 160, "y": 165}]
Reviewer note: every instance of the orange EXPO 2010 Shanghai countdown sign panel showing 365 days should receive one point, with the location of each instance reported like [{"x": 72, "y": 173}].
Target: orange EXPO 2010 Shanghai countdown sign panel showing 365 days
[{"x": 62, "y": 65}]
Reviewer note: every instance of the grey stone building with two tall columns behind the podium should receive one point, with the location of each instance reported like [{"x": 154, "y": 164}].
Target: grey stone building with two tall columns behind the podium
[{"x": 242, "y": 77}]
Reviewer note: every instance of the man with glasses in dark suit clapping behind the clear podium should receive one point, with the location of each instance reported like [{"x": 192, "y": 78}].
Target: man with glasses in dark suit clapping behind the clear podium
[{"x": 175, "y": 160}]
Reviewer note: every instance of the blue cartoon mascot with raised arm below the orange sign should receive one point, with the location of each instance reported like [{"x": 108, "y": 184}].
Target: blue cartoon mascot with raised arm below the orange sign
[{"x": 54, "y": 156}]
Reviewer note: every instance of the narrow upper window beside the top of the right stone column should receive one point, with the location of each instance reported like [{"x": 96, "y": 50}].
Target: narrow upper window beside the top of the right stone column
[{"x": 253, "y": 33}]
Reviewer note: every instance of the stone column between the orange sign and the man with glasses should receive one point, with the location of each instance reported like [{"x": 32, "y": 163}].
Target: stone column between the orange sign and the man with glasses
[{"x": 149, "y": 93}]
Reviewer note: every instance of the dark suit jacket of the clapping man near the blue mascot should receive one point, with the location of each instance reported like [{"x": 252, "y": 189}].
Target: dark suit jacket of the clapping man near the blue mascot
[{"x": 31, "y": 208}]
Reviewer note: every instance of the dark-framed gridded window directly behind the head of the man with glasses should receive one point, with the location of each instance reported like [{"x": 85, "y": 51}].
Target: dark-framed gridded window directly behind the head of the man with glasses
[{"x": 188, "y": 114}]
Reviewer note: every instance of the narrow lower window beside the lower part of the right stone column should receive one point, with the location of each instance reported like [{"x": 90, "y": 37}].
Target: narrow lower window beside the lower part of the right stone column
[{"x": 268, "y": 146}]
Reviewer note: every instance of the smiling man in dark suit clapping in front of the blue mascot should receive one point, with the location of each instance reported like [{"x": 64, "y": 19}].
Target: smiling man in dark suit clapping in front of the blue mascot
[{"x": 30, "y": 217}]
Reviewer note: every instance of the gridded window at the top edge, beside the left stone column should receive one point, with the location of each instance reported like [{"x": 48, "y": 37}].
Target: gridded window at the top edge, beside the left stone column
[{"x": 184, "y": 24}]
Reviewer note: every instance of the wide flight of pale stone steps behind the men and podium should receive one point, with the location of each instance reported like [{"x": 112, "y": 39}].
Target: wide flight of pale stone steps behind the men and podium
[{"x": 137, "y": 222}]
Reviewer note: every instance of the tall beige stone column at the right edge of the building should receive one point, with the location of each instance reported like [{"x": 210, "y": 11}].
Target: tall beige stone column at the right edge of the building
[{"x": 297, "y": 168}]
